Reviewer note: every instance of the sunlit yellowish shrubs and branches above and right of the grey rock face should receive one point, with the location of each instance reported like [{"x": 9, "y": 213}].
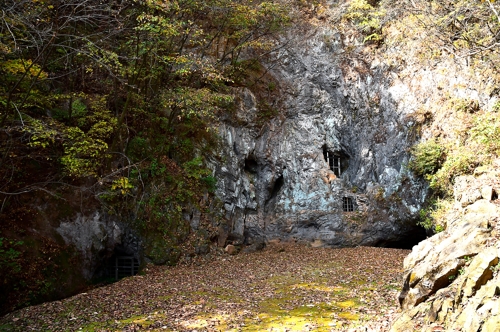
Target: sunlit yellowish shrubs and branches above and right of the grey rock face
[{"x": 456, "y": 42}]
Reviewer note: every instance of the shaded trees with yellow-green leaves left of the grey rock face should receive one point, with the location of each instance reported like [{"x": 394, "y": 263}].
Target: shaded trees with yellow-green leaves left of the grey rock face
[{"x": 115, "y": 104}]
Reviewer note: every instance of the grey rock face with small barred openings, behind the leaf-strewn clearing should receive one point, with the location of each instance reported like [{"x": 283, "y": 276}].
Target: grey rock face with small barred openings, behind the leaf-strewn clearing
[{"x": 276, "y": 181}]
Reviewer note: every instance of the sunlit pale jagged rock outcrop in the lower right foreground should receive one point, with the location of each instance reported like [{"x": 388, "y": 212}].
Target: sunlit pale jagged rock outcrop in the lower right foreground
[{"x": 453, "y": 278}]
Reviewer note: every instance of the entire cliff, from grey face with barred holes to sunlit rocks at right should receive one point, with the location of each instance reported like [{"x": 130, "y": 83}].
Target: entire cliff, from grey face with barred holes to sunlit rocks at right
[{"x": 368, "y": 106}]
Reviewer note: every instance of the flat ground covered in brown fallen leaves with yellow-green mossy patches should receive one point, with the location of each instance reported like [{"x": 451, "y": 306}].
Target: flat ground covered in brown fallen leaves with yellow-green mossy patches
[{"x": 283, "y": 288}]
